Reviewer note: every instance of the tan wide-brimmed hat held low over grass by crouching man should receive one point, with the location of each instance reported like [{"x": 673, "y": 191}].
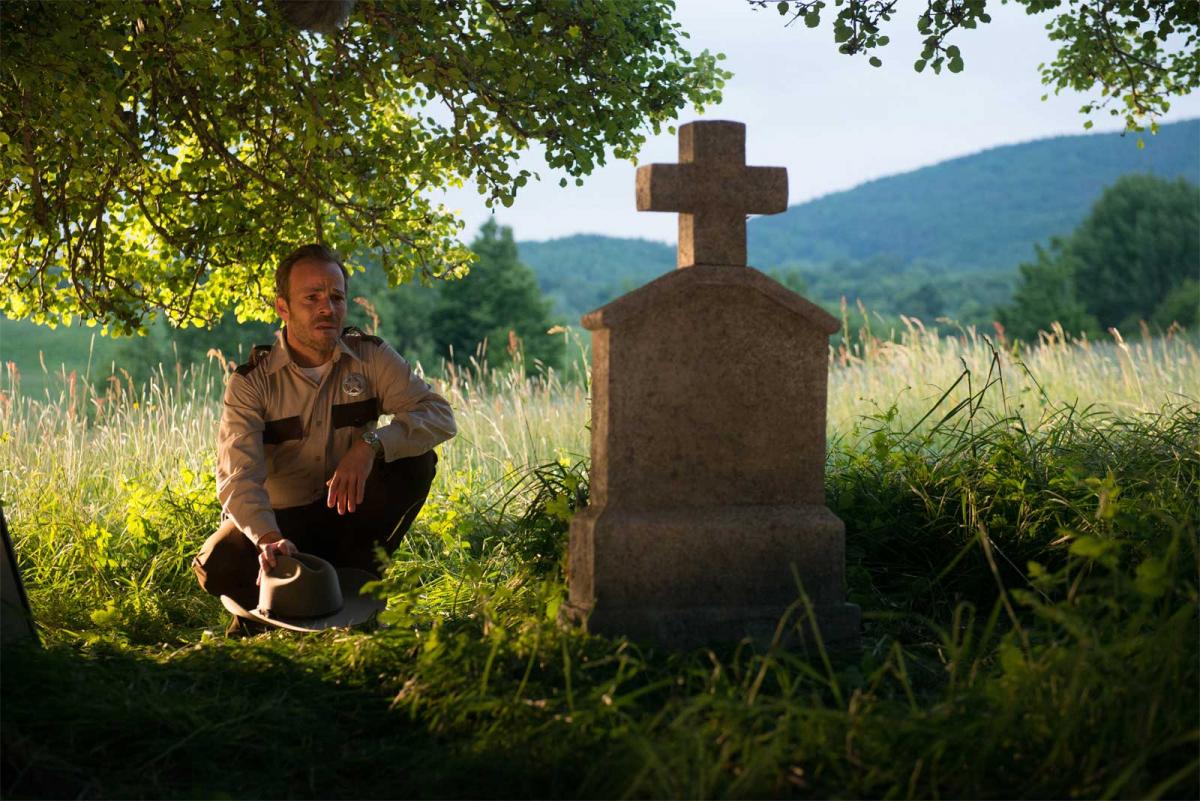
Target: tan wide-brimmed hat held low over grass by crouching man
[{"x": 307, "y": 594}]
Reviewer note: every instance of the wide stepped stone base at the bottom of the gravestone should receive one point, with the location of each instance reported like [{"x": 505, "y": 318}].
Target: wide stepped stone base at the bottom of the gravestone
[{"x": 687, "y": 577}]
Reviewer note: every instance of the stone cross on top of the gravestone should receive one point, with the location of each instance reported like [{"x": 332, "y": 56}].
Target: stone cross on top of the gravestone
[{"x": 713, "y": 190}]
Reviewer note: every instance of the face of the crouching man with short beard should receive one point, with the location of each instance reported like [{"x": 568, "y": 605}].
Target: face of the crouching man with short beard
[{"x": 315, "y": 308}]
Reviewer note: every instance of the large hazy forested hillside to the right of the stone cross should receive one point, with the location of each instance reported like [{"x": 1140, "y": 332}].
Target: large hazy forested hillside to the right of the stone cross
[{"x": 980, "y": 212}]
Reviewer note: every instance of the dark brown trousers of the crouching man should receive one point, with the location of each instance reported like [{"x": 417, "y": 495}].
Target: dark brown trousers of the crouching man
[{"x": 395, "y": 493}]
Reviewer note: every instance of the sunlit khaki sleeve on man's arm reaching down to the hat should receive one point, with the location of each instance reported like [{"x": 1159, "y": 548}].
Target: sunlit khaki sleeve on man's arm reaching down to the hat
[{"x": 242, "y": 461}]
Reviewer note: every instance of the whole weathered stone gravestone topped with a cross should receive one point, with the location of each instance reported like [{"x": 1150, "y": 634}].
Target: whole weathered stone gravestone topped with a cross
[{"x": 709, "y": 430}]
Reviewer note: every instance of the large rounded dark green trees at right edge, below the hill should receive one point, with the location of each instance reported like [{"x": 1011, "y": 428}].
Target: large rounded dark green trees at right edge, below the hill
[{"x": 1133, "y": 260}]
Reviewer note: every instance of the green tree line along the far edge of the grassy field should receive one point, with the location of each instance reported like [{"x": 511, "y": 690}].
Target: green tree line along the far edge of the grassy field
[{"x": 1135, "y": 260}]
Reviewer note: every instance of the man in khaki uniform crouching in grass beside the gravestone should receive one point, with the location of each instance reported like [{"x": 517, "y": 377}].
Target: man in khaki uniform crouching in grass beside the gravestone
[{"x": 302, "y": 465}]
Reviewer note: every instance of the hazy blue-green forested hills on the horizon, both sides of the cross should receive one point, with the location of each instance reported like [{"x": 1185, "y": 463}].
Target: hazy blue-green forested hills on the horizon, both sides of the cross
[{"x": 980, "y": 213}]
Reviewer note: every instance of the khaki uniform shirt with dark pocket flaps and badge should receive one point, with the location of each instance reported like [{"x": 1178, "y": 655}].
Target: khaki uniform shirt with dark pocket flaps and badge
[{"x": 283, "y": 435}]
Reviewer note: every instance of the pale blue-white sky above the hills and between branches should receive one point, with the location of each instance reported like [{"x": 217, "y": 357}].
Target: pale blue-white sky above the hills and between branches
[{"x": 832, "y": 121}]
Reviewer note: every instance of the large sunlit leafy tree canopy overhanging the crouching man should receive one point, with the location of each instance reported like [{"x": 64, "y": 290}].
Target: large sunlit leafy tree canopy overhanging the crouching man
[{"x": 158, "y": 158}]
